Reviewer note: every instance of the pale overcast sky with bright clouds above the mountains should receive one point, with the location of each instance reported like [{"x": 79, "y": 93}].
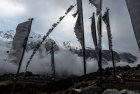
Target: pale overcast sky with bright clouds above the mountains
[{"x": 47, "y": 12}]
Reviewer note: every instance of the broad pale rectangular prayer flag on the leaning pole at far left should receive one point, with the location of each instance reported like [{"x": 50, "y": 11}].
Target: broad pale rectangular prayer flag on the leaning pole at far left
[{"x": 22, "y": 32}]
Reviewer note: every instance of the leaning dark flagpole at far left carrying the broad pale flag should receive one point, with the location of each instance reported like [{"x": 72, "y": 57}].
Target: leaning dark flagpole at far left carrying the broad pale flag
[{"x": 20, "y": 62}]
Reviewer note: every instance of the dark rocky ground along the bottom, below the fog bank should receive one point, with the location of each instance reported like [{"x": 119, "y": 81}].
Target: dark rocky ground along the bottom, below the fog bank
[{"x": 127, "y": 78}]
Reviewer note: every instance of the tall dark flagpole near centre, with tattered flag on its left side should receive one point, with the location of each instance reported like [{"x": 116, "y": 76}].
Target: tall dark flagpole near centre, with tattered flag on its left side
[{"x": 80, "y": 11}]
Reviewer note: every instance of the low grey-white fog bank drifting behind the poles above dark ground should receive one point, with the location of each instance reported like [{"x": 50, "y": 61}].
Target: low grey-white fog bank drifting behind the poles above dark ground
[{"x": 66, "y": 62}]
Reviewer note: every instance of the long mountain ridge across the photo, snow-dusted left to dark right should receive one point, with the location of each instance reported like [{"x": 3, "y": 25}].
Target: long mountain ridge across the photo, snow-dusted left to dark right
[{"x": 34, "y": 39}]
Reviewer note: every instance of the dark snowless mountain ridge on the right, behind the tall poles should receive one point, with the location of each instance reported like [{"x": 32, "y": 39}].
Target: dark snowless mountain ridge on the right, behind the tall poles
[{"x": 123, "y": 56}]
